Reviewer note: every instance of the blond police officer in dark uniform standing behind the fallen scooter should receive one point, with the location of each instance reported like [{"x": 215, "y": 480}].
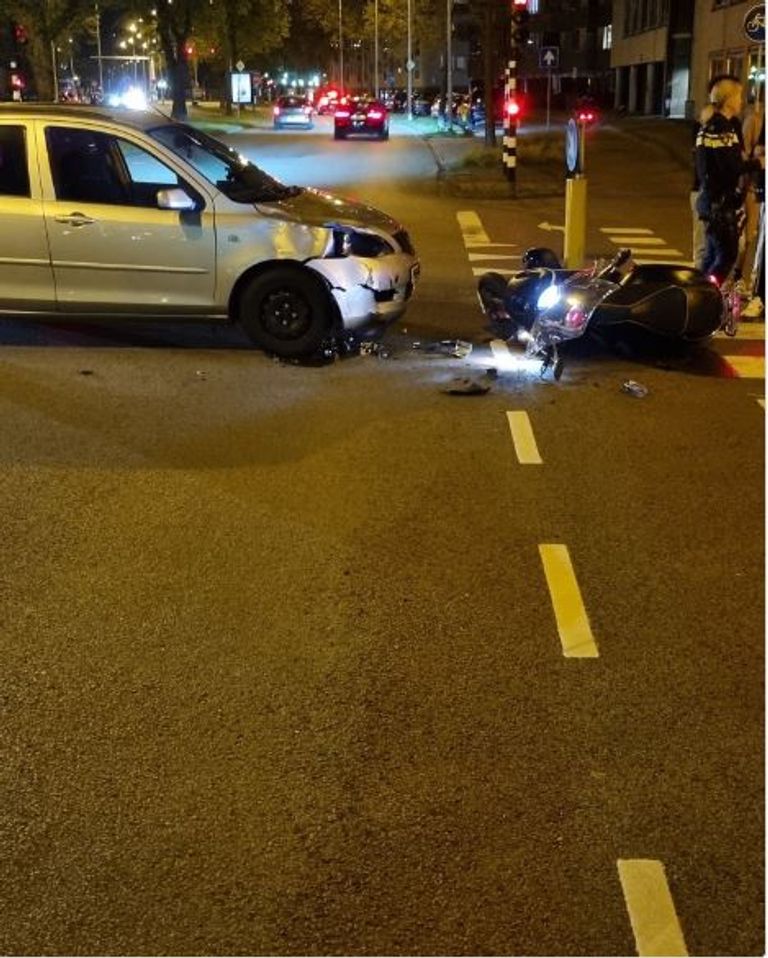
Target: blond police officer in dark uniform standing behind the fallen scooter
[{"x": 720, "y": 166}]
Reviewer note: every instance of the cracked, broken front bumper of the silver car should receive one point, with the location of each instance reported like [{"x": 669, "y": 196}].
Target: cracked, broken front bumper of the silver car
[{"x": 369, "y": 291}]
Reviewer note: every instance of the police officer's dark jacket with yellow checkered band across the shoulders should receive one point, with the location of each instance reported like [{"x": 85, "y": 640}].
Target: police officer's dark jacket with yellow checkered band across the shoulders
[{"x": 720, "y": 166}]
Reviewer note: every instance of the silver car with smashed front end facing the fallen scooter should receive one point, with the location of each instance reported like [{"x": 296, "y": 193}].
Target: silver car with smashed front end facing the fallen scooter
[{"x": 141, "y": 216}]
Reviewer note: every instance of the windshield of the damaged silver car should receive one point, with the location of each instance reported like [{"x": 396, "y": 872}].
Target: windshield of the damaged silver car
[{"x": 236, "y": 177}]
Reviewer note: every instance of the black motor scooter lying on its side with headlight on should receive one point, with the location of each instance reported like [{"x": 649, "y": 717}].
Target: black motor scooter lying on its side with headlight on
[{"x": 545, "y": 305}]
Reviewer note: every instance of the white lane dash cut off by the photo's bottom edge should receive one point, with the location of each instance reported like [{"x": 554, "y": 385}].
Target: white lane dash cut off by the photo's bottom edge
[{"x": 651, "y": 909}]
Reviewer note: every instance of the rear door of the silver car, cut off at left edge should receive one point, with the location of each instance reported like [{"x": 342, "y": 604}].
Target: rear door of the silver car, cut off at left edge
[{"x": 26, "y": 276}]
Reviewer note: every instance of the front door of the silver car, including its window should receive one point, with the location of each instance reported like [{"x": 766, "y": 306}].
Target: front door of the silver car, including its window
[{"x": 113, "y": 250}]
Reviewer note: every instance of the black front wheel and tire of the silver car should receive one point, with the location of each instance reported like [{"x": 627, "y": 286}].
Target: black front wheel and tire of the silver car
[{"x": 286, "y": 311}]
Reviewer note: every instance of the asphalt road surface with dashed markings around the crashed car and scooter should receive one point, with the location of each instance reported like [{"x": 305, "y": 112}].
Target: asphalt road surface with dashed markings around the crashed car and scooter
[{"x": 320, "y": 660}]
